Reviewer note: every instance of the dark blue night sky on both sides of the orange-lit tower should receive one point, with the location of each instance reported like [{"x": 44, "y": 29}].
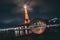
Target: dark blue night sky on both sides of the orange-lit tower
[{"x": 43, "y": 9}]
